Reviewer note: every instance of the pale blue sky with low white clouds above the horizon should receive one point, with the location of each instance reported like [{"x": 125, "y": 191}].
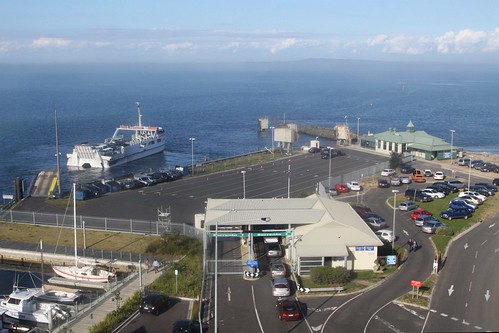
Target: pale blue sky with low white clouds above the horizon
[{"x": 60, "y": 31}]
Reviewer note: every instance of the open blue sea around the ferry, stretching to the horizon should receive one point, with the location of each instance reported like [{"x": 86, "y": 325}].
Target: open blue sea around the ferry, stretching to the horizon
[{"x": 219, "y": 105}]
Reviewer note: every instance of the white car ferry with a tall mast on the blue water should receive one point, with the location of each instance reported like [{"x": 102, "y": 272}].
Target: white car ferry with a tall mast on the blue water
[{"x": 129, "y": 143}]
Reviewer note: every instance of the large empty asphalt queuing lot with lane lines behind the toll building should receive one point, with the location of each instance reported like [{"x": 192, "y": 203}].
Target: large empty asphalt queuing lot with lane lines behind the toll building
[{"x": 187, "y": 196}]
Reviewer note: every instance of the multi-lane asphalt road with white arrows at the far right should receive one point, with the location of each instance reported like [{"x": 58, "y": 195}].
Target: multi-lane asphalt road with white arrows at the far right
[{"x": 467, "y": 296}]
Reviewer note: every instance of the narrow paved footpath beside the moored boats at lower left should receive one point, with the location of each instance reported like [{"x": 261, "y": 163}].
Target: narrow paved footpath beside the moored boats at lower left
[{"x": 98, "y": 312}]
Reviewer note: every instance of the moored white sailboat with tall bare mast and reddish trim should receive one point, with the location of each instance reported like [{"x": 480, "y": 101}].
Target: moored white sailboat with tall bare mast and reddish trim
[{"x": 86, "y": 272}]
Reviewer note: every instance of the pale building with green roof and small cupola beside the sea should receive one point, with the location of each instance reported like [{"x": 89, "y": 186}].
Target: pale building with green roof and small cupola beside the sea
[{"x": 418, "y": 143}]
